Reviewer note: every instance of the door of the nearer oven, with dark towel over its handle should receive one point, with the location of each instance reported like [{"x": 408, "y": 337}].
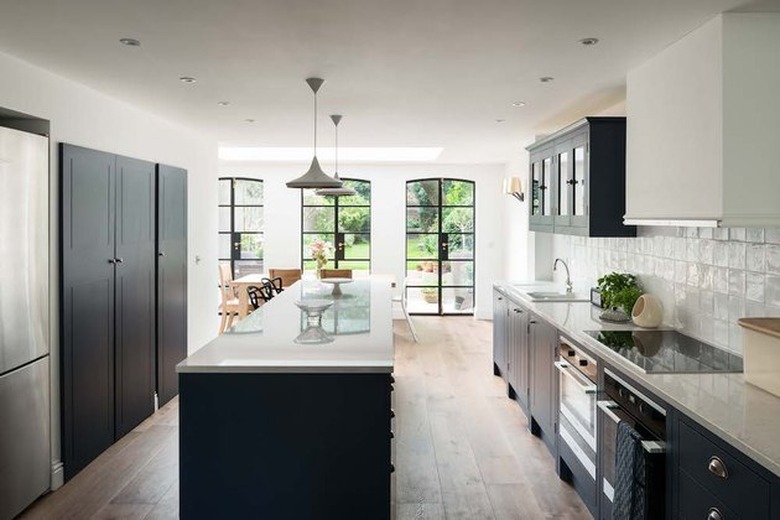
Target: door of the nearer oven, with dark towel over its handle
[{"x": 611, "y": 417}]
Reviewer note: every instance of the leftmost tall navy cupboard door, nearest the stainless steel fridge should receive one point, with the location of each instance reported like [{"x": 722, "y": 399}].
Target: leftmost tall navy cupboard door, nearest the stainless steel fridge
[{"x": 87, "y": 248}]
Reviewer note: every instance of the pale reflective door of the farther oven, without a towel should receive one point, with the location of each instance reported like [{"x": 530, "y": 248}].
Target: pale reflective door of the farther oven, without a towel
[{"x": 578, "y": 402}]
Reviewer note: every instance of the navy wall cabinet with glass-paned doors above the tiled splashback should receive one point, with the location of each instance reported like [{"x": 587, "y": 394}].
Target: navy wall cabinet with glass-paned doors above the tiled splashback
[{"x": 577, "y": 179}]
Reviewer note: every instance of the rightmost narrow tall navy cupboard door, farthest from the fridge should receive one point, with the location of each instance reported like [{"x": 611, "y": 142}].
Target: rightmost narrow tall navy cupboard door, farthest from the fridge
[{"x": 171, "y": 278}]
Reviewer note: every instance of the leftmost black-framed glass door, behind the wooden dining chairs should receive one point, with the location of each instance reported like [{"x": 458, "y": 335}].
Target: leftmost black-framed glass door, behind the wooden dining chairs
[{"x": 241, "y": 224}]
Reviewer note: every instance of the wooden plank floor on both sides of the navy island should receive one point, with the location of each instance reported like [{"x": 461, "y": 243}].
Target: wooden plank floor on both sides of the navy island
[{"x": 463, "y": 450}]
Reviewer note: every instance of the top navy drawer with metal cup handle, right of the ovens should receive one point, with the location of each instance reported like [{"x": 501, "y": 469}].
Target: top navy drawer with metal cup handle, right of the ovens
[{"x": 742, "y": 490}]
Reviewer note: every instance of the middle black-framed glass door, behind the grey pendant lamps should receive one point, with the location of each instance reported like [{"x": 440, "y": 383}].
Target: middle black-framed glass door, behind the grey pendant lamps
[{"x": 341, "y": 222}]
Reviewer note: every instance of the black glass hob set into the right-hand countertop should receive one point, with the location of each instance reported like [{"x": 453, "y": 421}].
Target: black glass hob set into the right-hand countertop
[{"x": 667, "y": 351}]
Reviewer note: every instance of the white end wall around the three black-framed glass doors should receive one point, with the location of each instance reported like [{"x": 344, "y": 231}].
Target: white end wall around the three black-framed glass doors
[{"x": 388, "y": 189}]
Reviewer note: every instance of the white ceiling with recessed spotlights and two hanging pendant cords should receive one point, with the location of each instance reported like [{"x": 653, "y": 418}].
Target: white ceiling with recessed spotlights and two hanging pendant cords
[{"x": 402, "y": 72}]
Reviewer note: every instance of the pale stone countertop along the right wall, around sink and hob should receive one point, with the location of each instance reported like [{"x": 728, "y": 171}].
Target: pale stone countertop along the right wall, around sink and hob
[{"x": 743, "y": 415}]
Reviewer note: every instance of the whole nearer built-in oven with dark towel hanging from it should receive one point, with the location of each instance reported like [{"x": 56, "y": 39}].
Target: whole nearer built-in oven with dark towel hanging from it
[{"x": 626, "y": 404}]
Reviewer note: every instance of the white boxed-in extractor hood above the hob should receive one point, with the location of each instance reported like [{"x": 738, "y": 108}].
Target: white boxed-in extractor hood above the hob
[{"x": 703, "y": 127}]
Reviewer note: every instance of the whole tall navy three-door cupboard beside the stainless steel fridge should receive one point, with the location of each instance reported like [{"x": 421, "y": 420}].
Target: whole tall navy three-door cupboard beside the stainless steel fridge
[{"x": 109, "y": 297}]
